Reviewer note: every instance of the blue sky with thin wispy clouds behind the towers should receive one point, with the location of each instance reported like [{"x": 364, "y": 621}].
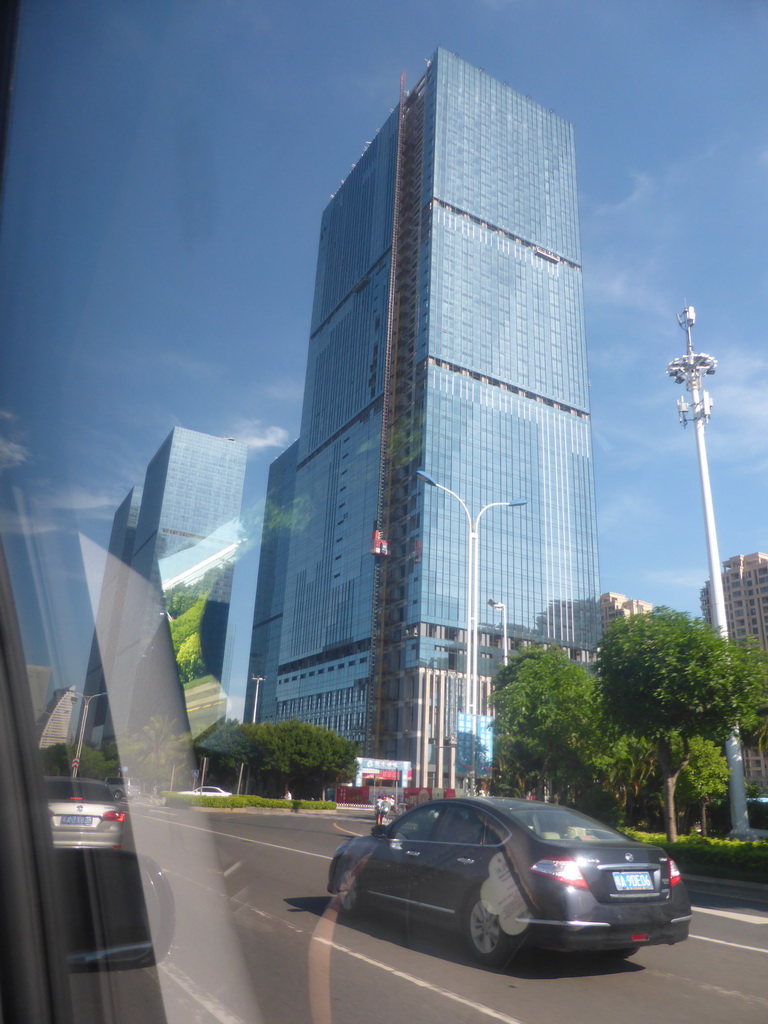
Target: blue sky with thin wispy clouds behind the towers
[{"x": 168, "y": 166}]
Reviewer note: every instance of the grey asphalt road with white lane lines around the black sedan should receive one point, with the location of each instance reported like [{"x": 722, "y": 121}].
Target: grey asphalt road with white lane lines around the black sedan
[{"x": 257, "y": 942}]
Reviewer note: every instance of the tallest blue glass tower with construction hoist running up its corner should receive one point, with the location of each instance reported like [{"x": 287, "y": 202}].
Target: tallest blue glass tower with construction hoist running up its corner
[{"x": 447, "y": 335}]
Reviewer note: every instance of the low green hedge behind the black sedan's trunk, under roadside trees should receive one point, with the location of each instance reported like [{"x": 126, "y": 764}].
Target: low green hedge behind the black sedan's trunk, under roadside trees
[{"x": 723, "y": 859}]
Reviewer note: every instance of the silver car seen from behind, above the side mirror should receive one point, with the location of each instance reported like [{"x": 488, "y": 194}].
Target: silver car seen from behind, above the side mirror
[{"x": 84, "y": 814}]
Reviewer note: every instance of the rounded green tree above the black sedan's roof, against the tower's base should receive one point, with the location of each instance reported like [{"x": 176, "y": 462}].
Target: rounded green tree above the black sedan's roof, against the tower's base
[{"x": 548, "y": 721}]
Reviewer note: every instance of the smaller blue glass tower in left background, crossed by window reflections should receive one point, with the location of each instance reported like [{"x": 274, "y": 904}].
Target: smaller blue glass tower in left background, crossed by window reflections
[{"x": 165, "y": 596}]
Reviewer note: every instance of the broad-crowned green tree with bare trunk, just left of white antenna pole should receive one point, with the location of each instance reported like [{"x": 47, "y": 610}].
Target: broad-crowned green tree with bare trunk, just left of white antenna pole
[{"x": 668, "y": 678}]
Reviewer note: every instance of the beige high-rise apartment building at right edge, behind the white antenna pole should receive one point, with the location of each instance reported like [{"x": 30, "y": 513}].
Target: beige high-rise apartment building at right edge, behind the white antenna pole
[{"x": 746, "y": 598}]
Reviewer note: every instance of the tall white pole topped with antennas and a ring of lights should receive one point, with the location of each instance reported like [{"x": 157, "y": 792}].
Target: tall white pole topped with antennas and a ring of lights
[{"x": 690, "y": 370}]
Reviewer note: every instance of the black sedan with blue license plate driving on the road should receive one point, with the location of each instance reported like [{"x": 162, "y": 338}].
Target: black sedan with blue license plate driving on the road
[{"x": 508, "y": 873}]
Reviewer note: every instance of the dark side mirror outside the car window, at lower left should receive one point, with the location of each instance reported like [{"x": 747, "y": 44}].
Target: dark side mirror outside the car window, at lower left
[{"x": 117, "y": 909}]
